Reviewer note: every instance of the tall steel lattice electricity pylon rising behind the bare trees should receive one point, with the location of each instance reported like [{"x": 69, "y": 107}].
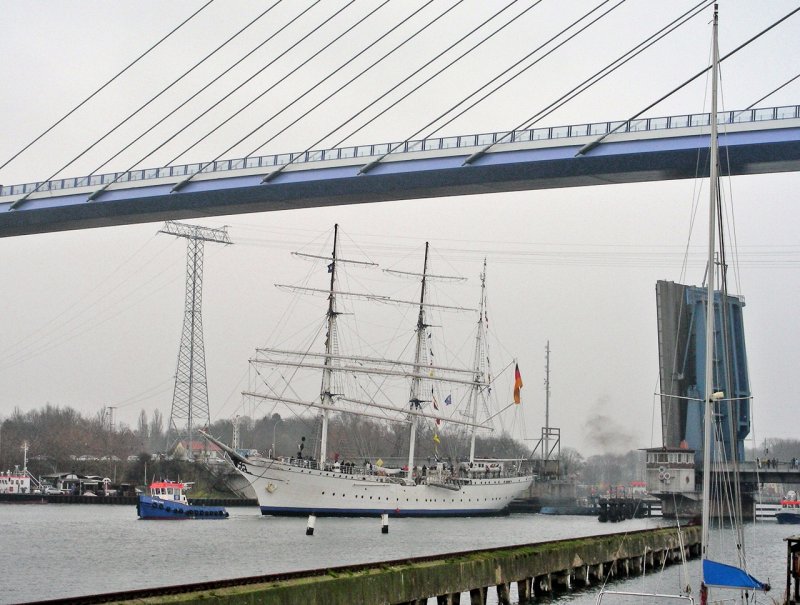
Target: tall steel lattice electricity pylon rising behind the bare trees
[{"x": 190, "y": 397}]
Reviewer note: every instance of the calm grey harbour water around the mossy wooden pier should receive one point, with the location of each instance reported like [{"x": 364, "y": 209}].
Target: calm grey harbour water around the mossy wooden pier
[{"x": 52, "y": 550}]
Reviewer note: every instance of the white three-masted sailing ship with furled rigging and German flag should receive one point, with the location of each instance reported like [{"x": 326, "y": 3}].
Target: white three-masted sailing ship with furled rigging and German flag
[{"x": 322, "y": 485}]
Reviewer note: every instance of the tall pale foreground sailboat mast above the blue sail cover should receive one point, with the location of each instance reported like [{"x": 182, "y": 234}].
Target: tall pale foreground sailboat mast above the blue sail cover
[{"x": 709, "y": 341}]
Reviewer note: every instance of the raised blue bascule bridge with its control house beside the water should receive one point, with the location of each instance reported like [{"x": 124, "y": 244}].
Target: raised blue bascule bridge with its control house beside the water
[{"x": 674, "y": 471}]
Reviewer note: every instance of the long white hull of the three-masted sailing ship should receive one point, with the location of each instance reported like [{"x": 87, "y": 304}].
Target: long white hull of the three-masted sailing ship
[{"x": 290, "y": 488}]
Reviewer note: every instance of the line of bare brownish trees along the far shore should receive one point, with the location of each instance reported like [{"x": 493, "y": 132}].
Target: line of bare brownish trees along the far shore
[{"x": 61, "y": 439}]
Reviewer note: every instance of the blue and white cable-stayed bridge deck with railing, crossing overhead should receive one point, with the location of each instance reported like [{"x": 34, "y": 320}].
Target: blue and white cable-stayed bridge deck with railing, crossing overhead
[{"x": 753, "y": 141}]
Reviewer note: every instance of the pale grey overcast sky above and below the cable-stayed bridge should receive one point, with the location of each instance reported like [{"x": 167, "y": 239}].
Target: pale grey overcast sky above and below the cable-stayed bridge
[{"x": 93, "y": 318}]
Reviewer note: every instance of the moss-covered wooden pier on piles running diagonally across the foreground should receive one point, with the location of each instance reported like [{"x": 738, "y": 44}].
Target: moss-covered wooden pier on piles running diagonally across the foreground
[{"x": 537, "y": 569}]
